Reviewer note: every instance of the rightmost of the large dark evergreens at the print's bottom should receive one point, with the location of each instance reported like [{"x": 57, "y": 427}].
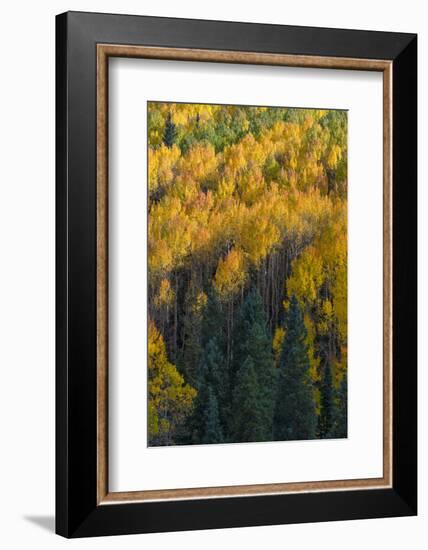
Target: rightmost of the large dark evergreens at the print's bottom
[{"x": 295, "y": 415}]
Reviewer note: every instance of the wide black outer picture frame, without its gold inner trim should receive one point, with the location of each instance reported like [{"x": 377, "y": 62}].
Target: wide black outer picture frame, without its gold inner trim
[{"x": 77, "y": 511}]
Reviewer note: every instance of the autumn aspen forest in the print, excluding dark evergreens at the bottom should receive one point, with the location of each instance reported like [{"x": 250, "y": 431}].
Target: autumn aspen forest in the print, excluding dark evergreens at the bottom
[{"x": 243, "y": 197}]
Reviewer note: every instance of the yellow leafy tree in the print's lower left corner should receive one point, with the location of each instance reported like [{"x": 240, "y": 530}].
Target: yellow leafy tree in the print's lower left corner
[{"x": 170, "y": 399}]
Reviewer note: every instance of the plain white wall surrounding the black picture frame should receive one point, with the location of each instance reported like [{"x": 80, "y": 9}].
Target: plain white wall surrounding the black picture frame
[{"x": 27, "y": 240}]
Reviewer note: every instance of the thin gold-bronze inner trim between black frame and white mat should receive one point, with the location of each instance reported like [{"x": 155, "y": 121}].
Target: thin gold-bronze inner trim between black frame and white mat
[{"x": 104, "y": 51}]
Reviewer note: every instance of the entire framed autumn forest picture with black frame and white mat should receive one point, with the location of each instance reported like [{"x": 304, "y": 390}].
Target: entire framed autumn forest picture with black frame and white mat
[{"x": 236, "y": 274}]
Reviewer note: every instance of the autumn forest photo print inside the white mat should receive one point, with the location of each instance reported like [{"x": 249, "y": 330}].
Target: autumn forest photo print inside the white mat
[{"x": 247, "y": 274}]
